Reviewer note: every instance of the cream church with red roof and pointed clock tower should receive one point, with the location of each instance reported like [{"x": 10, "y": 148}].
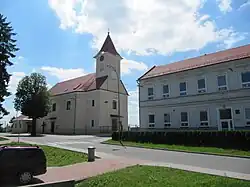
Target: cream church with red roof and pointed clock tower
[{"x": 91, "y": 104}]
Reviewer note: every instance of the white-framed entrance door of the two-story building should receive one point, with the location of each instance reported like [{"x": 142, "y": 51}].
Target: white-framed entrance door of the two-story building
[{"x": 225, "y": 119}]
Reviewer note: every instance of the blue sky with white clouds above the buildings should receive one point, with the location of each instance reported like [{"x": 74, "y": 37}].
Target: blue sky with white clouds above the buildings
[{"x": 59, "y": 38}]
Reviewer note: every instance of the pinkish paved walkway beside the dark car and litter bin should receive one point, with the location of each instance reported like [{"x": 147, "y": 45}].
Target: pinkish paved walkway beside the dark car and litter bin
[{"x": 85, "y": 170}]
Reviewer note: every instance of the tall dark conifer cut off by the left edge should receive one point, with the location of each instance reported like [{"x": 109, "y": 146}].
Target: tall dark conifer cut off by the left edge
[{"x": 7, "y": 49}]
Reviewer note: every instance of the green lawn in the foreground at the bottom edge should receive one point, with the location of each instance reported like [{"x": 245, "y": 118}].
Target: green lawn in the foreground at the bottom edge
[{"x": 152, "y": 176}]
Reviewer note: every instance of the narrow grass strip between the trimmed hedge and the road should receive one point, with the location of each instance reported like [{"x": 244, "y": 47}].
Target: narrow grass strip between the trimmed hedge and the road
[{"x": 213, "y": 150}]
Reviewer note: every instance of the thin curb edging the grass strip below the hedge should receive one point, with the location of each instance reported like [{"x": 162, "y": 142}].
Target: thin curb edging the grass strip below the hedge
[{"x": 183, "y": 151}]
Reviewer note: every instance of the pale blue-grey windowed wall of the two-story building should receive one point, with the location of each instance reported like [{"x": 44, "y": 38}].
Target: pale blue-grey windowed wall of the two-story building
[{"x": 236, "y": 97}]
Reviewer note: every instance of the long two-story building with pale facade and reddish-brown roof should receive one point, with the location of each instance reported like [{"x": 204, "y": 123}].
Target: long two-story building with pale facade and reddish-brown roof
[{"x": 207, "y": 92}]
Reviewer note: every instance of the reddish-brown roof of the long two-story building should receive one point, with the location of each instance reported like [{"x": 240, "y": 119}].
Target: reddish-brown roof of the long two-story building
[{"x": 198, "y": 62}]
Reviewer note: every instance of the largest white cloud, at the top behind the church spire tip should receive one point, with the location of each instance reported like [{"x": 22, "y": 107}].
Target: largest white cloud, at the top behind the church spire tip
[{"x": 141, "y": 26}]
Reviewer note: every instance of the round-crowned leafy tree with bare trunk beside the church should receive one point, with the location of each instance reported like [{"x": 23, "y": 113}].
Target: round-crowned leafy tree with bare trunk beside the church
[{"x": 32, "y": 98}]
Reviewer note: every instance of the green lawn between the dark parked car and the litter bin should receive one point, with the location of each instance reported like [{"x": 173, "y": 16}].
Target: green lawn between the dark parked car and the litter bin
[{"x": 57, "y": 156}]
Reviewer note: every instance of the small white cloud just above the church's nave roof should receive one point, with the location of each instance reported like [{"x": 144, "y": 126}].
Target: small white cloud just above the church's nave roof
[{"x": 63, "y": 74}]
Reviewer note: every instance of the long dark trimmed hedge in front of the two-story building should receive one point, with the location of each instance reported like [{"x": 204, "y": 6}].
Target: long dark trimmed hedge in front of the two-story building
[{"x": 222, "y": 139}]
